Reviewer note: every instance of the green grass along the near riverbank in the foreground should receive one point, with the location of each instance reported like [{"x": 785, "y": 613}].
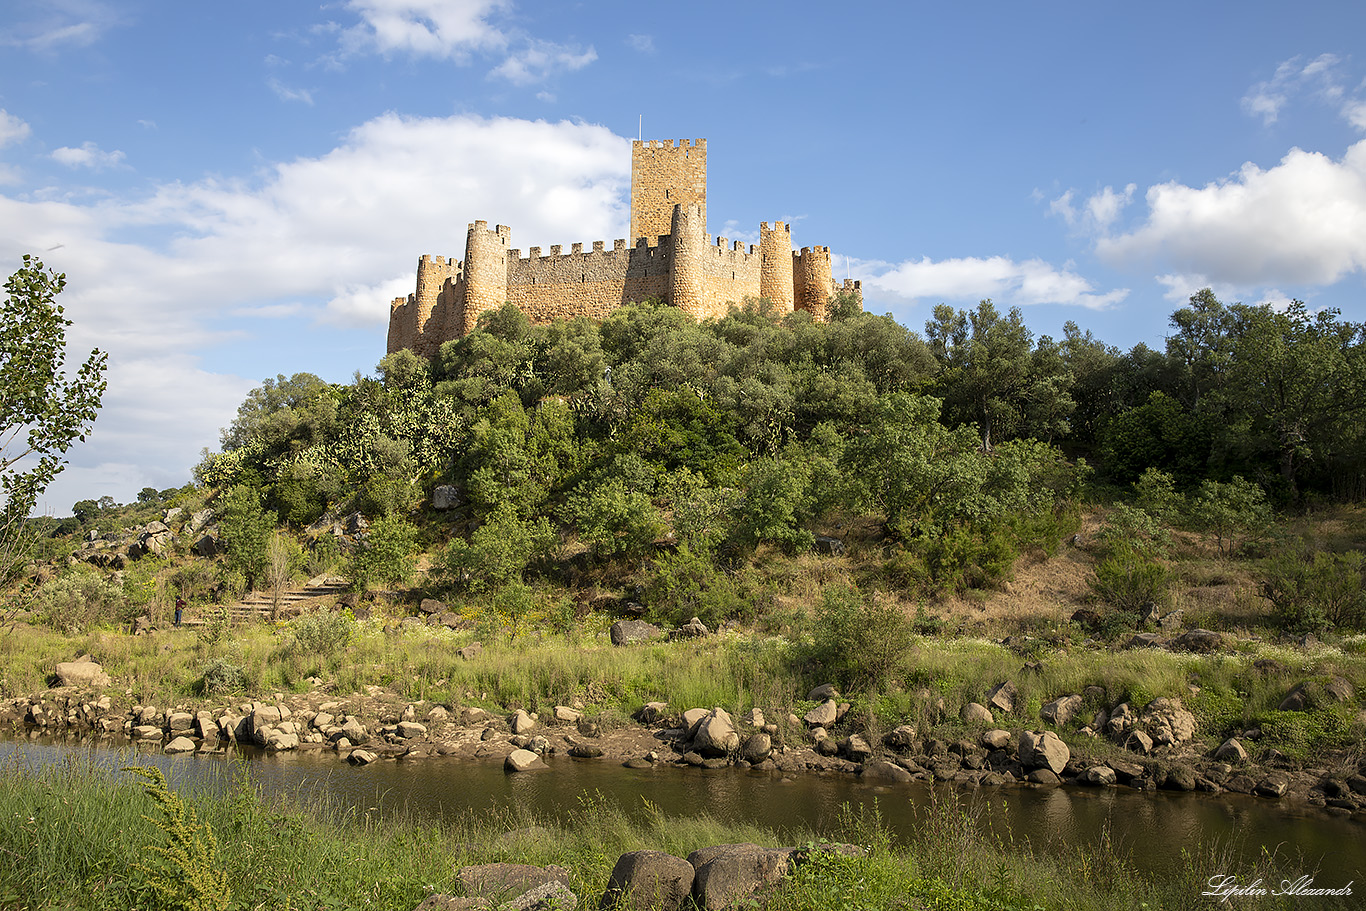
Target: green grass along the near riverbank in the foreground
[{"x": 57, "y": 853}]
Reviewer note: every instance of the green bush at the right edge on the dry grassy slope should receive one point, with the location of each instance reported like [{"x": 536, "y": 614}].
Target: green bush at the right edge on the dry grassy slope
[{"x": 1311, "y": 595}]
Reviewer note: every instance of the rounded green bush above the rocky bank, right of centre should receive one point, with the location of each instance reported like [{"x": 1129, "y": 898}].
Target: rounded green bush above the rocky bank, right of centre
[{"x": 860, "y": 640}]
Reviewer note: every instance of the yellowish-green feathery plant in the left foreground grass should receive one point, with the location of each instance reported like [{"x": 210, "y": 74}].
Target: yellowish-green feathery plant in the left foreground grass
[{"x": 185, "y": 875}]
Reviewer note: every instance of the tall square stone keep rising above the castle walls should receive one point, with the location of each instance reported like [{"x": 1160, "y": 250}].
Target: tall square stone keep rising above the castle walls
[{"x": 666, "y": 176}]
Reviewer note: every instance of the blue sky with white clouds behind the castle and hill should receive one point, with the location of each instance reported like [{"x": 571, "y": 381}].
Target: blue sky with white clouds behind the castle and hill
[{"x": 240, "y": 191}]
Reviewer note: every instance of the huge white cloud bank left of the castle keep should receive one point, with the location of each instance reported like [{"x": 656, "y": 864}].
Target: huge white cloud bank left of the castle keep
[{"x": 330, "y": 240}]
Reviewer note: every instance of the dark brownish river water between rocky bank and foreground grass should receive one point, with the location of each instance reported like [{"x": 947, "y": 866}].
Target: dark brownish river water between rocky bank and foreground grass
[{"x": 1154, "y": 830}]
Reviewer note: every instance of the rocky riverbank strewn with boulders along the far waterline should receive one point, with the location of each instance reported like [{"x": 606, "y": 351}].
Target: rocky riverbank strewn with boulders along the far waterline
[{"x": 1145, "y": 748}]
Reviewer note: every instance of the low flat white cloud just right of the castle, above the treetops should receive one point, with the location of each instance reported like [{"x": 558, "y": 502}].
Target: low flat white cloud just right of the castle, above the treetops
[{"x": 1007, "y": 282}]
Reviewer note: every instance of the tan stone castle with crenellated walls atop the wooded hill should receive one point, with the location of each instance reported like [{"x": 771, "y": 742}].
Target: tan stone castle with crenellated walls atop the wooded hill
[{"x": 673, "y": 259}]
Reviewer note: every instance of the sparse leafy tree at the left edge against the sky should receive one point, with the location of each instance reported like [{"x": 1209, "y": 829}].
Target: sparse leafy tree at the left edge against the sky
[{"x": 43, "y": 410}]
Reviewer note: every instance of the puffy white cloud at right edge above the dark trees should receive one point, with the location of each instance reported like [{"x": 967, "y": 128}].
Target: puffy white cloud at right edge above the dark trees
[{"x": 1301, "y": 222}]
